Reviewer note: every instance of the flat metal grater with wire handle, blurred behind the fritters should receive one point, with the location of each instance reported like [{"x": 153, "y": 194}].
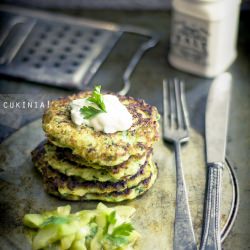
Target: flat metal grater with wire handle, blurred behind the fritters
[{"x": 59, "y": 50}]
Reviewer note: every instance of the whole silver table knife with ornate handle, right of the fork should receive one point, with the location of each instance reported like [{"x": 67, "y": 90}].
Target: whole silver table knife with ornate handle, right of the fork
[{"x": 217, "y": 111}]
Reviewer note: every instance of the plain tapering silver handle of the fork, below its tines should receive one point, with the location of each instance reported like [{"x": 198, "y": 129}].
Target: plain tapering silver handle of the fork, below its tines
[{"x": 183, "y": 230}]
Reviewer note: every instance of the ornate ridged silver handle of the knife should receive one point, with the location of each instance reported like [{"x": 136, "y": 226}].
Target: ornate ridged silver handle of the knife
[{"x": 211, "y": 239}]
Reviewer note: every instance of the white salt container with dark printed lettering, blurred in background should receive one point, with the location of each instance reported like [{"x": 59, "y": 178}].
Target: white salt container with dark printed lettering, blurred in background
[{"x": 203, "y": 35}]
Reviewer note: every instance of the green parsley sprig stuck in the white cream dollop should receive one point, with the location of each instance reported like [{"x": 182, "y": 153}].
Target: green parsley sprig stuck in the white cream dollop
[{"x": 96, "y": 98}]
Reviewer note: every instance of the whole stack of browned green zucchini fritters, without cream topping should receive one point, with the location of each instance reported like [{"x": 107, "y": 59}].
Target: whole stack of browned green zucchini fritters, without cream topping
[{"x": 79, "y": 163}]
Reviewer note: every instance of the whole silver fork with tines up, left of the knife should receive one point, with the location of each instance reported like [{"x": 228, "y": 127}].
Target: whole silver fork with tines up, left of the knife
[{"x": 176, "y": 131}]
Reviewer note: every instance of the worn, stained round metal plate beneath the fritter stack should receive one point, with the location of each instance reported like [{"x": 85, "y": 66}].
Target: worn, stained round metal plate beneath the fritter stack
[{"x": 22, "y": 192}]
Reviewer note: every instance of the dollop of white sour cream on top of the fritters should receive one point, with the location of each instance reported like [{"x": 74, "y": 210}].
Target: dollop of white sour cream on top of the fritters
[{"x": 117, "y": 117}]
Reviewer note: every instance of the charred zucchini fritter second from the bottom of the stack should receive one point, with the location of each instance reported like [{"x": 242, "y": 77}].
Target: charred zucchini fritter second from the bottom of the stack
[{"x": 74, "y": 186}]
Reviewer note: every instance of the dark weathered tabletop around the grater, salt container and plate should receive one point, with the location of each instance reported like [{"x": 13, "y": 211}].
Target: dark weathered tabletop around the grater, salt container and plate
[{"x": 147, "y": 84}]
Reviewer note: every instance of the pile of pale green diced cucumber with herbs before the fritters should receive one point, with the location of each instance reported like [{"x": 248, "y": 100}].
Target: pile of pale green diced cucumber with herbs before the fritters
[{"x": 101, "y": 229}]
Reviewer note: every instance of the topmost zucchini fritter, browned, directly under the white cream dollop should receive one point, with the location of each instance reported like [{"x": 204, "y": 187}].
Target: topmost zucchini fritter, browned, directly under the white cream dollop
[{"x": 98, "y": 147}]
